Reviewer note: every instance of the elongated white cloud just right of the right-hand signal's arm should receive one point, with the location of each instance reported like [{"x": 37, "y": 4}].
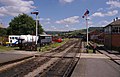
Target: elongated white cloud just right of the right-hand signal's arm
[{"x": 109, "y": 13}]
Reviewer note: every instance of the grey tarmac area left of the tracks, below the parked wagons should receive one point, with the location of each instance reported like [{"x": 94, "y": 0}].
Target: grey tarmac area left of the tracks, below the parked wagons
[{"x": 6, "y": 57}]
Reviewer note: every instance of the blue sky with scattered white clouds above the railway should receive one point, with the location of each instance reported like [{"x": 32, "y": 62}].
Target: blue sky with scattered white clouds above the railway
[{"x": 62, "y": 15}]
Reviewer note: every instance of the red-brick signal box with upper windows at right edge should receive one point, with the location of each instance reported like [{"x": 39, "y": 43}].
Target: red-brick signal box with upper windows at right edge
[{"x": 112, "y": 35}]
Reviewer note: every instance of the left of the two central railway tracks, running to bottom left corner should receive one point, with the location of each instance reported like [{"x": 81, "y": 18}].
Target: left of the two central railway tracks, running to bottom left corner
[{"x": 24, "y": 68}]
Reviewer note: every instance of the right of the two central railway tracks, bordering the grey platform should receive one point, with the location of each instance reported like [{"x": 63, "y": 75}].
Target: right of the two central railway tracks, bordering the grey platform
[{"x": 64, "y": 66}]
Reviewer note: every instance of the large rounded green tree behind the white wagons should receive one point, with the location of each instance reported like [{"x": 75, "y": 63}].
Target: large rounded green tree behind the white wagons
[{"x": 23, "y": 25}]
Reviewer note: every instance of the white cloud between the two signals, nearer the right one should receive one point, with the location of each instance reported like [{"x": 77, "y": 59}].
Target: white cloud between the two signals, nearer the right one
[{"x": 70, "y": 20}]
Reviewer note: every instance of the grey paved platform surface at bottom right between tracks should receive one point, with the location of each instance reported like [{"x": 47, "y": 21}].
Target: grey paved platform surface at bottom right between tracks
[{"x": 95, "y": 65}]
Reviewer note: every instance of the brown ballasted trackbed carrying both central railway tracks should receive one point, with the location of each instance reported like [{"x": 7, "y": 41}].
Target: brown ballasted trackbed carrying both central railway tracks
[{"x": 67, "y": 54}]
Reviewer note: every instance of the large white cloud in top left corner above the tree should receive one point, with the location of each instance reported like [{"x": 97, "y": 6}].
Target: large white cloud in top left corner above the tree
[{"x": 15, "y": 7}]
